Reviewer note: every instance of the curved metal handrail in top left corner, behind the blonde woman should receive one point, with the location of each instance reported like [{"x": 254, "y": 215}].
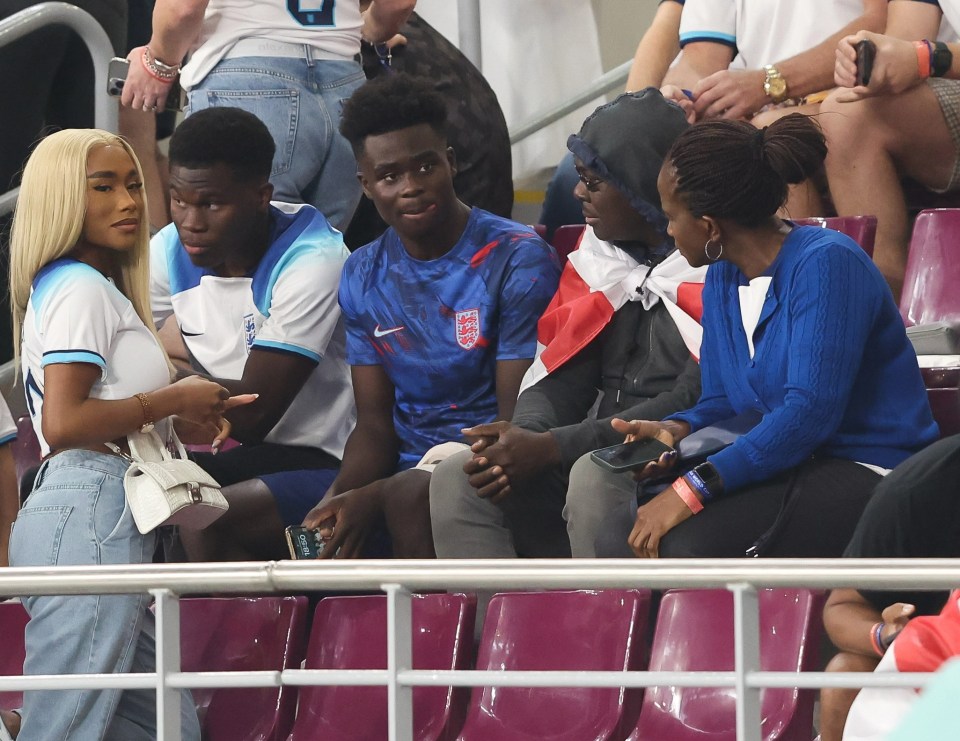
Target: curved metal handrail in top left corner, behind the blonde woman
[{"x": 36, "y": 17}]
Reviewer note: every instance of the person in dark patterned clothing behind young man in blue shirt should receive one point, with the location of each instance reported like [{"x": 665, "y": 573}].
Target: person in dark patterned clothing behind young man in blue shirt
[{"x": 475, "y": 125}]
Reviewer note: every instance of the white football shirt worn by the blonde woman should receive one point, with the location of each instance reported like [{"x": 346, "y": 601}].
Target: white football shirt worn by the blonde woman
[{"x": 76, "y": 315}]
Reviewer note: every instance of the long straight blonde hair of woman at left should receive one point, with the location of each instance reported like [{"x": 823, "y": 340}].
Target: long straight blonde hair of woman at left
[{"x": 48, "y": 221}]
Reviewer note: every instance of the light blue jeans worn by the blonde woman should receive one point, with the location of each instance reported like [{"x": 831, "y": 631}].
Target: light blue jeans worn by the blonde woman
[{"x": 77, "y": 515}]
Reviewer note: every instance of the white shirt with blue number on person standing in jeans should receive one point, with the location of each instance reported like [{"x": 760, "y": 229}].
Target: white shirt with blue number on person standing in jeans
[{"x": 329, "y": 26}]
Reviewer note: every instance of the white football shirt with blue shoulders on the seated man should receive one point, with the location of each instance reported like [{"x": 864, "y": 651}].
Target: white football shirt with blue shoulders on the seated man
[{"x": 288, "y": 304}]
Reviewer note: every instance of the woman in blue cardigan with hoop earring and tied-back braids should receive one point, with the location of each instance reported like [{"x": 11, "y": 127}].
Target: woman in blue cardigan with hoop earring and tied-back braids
[{"x": 799, "y": 326}]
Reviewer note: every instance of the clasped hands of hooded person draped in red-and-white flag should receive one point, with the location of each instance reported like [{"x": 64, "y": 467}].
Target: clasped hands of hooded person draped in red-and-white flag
[{"x": 505, "y": 453}]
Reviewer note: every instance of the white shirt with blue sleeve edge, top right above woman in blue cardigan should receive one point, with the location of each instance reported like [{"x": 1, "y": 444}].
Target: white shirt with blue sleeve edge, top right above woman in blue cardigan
[{"x": 765, "y": 31}]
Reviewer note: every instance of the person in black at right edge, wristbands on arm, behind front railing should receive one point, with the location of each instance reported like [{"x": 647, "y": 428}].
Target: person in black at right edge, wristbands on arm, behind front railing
[{"x": 914, "y": 513}]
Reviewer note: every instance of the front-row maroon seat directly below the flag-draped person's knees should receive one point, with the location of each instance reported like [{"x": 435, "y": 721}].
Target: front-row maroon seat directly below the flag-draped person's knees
[{"x": 543, "y": 631}]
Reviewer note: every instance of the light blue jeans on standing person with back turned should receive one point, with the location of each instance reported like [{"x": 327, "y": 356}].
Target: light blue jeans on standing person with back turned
[{"x": 299, "y": 100}]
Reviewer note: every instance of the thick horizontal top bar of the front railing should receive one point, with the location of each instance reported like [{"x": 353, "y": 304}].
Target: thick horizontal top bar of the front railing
[{"x": 484, "y": 574}]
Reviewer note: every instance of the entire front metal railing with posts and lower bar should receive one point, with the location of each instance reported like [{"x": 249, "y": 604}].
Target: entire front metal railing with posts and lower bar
[{"x": 400, "y": 578}]
